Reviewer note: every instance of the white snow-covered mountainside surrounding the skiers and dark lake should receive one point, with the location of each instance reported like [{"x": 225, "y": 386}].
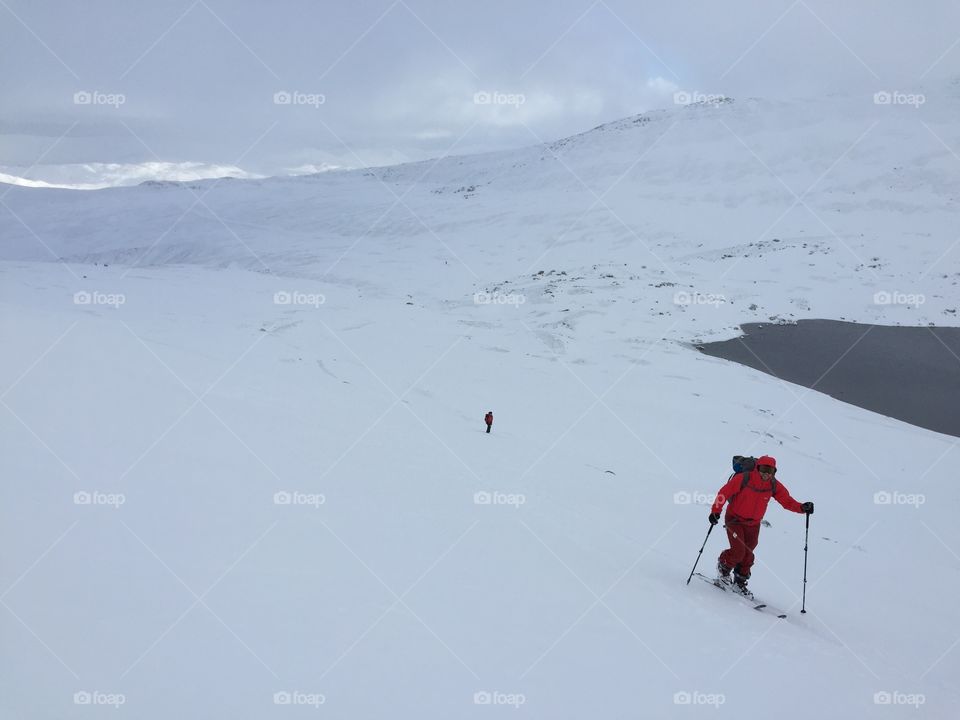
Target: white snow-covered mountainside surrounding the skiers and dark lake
[{"x": 337, "y": 338}]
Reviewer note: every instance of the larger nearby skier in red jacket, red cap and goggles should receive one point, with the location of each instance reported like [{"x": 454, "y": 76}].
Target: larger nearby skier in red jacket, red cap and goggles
[{"x": 746, "y": 508}]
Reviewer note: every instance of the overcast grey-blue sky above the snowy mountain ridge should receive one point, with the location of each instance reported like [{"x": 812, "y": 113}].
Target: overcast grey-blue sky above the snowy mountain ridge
[{"x": 384, "y": 81}]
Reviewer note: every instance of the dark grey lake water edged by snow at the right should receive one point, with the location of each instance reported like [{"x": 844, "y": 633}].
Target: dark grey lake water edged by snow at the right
[{"x": 909, "y": 373}]
